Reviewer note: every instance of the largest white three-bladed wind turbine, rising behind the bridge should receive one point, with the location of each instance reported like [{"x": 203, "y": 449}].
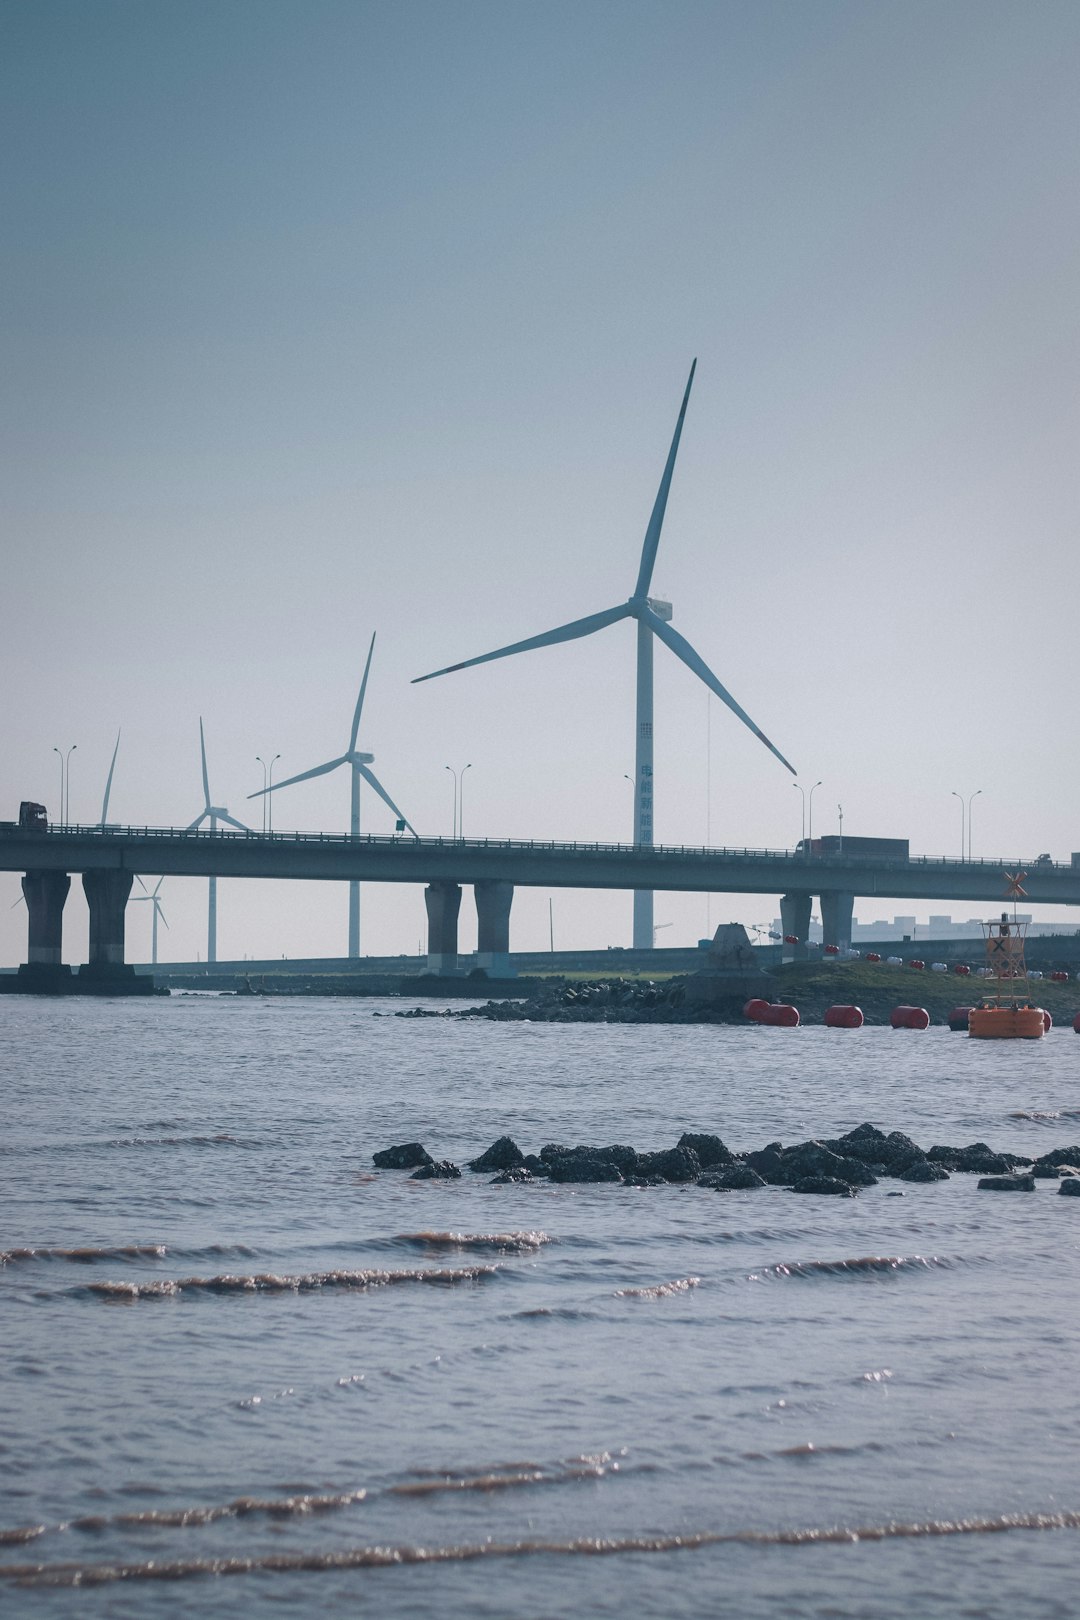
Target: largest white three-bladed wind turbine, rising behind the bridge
[{"x": 653, "y": 620}]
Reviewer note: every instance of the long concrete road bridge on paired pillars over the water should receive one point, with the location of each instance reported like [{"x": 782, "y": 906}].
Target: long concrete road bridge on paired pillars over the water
[{"x": 109, "y": 858}]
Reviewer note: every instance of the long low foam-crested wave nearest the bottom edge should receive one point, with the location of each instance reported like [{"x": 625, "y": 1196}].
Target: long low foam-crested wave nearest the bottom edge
[{"x": 466, "y": 1553}]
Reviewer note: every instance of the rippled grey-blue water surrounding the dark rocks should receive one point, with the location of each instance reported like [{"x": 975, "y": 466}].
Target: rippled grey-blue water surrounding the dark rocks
[{"x": 661, "y": 1376}]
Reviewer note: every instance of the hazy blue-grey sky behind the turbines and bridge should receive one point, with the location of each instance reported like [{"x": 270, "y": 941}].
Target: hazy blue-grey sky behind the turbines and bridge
[{"x": 328, "y": 318}]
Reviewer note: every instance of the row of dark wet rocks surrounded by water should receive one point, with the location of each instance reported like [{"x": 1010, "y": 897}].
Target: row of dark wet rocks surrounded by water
[{"x": 836, "y": 1167}]
